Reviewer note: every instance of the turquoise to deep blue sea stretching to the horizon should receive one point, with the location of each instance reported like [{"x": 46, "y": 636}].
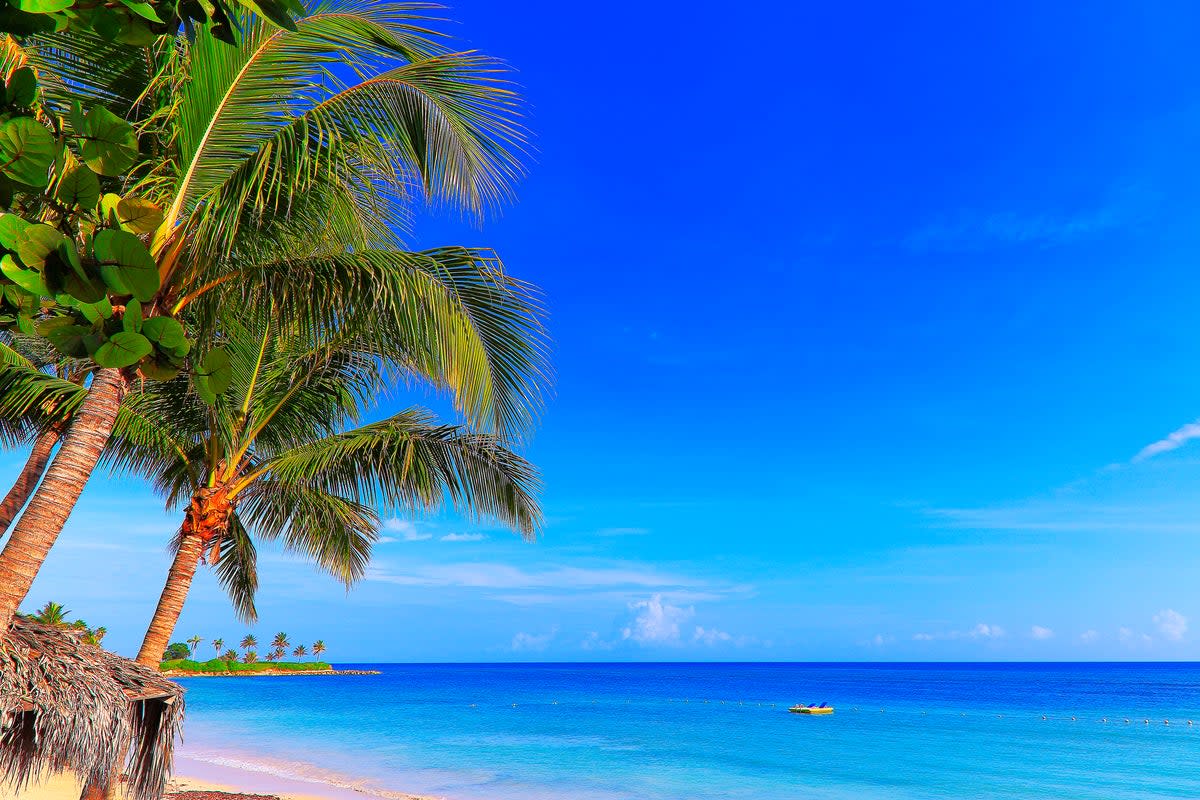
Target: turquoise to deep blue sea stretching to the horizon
[{"x": 704, "y": 732}]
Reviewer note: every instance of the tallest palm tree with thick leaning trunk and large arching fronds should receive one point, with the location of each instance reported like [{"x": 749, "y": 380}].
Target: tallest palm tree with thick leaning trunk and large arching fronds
[{"x": 241, "y": 166}]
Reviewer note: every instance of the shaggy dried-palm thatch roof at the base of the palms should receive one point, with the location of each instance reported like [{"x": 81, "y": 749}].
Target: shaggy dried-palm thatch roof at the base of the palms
[{"x": 69, "y": 706}]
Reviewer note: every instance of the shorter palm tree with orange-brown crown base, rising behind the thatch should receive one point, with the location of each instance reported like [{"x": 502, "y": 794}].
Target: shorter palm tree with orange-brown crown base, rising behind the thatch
[{"x": 277, "y": 459}]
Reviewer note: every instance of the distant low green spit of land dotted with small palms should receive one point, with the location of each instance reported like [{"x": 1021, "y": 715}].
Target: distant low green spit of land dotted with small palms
[{"x": 179, "y": 660}]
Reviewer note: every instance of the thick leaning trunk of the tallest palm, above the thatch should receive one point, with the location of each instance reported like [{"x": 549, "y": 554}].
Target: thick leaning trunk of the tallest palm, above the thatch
[{"x": 53, "y": 502}]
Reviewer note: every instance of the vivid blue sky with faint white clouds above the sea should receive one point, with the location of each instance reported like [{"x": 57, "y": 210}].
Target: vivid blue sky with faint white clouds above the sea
[{"x": 867, "y": 324}]
